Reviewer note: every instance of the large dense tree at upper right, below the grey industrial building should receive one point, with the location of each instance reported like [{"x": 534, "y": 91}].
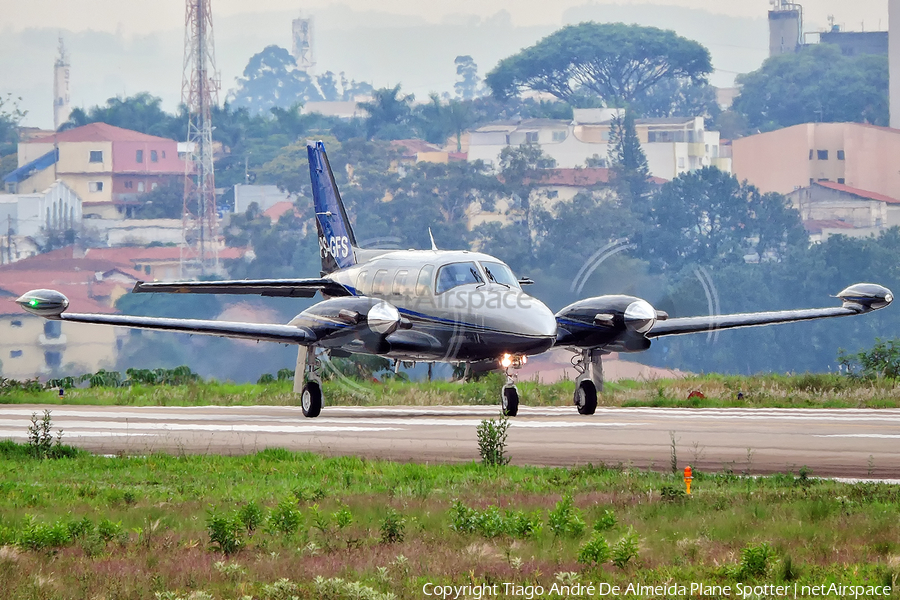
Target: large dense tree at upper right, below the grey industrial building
[{"x": 817, "y": 83}]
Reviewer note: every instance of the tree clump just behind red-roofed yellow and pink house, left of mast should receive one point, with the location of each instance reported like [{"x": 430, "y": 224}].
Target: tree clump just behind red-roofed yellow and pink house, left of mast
[{"x": 141, "y": 112}]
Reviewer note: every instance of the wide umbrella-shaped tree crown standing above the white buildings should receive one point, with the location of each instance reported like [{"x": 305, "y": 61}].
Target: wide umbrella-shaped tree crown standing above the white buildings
[{"x": 614, "y": 62}]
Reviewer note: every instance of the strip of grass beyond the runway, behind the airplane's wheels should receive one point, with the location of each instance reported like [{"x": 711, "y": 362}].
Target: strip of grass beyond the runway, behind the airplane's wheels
[{"x": 795, "y": 391}]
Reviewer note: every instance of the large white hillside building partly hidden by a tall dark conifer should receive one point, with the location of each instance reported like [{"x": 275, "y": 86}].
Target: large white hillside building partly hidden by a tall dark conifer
[{"x": 672, "y": 145}]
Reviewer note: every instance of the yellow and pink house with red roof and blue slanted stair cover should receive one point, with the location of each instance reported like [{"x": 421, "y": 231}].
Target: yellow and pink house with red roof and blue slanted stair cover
[{"x": 107, "y": 167}]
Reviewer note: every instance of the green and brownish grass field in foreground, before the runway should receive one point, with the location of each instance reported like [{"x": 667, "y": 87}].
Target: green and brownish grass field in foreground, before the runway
[{"x": 276, "y": 525}]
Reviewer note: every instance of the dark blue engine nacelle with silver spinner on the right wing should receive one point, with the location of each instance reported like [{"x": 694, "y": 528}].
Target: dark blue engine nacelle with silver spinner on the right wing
[{"x": 614, "y": 323}]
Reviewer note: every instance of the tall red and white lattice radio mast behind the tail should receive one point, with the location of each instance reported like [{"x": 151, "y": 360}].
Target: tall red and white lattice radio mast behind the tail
[{"x": 199, "y": 93}]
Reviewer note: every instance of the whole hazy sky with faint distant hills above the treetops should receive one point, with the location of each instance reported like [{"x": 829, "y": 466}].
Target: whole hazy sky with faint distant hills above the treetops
[{"x": 120, "y": 47}]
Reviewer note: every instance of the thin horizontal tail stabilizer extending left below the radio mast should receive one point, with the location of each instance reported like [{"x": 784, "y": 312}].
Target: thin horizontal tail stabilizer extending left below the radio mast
[{"x": 291, "y": 288}]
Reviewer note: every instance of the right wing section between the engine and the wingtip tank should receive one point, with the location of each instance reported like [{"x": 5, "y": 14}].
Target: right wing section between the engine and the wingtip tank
[{"x": 683, "y": 325}]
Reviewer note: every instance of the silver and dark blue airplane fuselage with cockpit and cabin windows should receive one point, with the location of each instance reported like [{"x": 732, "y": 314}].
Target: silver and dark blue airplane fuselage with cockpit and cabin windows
[{"x": 464, "y": 306}]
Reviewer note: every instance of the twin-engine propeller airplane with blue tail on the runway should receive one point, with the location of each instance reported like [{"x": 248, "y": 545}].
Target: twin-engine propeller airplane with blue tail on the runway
[{"x": 454, "y": 306}]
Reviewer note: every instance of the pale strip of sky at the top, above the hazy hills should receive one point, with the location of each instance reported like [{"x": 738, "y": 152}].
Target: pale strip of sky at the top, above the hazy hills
[{"x": 143, "y": 16}]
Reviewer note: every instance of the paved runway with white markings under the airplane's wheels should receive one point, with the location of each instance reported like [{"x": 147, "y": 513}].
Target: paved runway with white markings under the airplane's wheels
[{"x": 831, "y": 442}]
